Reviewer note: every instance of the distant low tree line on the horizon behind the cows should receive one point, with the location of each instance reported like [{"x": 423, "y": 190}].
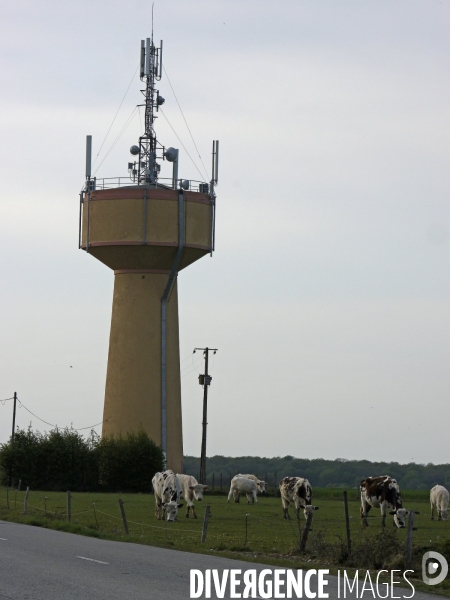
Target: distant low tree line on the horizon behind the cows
[{"x": 324, "y": 473}]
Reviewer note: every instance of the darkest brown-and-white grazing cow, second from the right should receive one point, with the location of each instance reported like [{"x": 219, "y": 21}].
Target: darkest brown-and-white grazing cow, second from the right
[{"x": 382, "y": 492}]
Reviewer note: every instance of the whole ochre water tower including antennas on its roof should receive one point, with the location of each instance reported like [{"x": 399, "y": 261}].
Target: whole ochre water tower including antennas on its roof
[{"x": 147, "y": 228}]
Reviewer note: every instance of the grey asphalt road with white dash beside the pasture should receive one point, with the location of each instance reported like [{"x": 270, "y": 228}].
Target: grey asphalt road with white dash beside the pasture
[{"x": 40, "y": 564}]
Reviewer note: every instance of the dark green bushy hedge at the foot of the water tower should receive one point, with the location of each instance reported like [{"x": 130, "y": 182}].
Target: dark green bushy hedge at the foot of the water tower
[{"x": 62, "y": 460}]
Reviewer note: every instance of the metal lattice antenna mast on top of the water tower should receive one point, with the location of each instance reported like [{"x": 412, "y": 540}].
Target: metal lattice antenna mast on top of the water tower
[{"x": 150, "y": 71}]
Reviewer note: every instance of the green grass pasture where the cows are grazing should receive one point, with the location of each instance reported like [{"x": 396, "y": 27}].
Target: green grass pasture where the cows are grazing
[{"x": 261, "y": 536}]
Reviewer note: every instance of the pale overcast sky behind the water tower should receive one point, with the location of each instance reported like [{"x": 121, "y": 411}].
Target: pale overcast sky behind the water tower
[{"x": 328, "y": 295}]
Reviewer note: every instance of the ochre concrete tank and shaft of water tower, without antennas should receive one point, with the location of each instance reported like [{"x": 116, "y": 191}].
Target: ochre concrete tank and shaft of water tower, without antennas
[{"x": 135, "y": 232}]
